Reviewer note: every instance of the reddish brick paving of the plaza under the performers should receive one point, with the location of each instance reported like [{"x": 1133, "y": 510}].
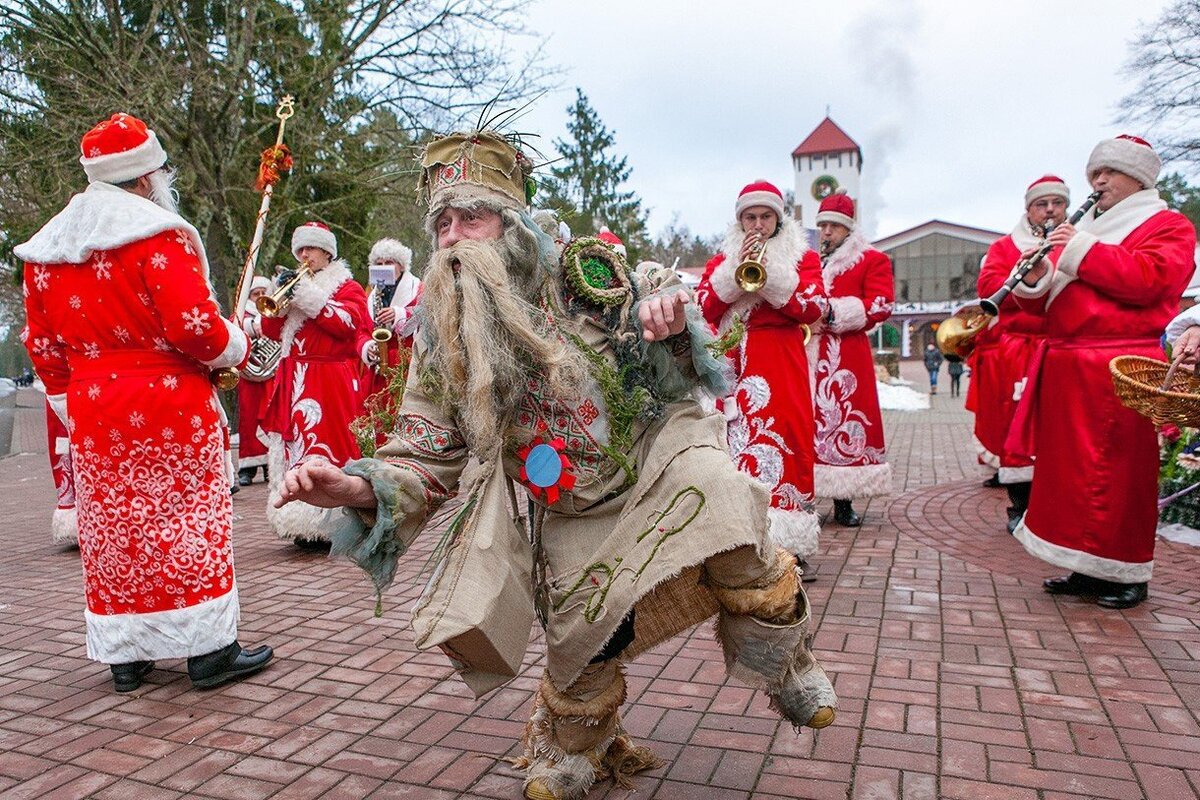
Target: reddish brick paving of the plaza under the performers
[{"x": 958, "y": 677}]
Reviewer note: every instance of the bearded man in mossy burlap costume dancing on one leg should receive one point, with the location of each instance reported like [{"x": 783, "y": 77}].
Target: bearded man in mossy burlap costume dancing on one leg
[{"x": 573, "y": 382}]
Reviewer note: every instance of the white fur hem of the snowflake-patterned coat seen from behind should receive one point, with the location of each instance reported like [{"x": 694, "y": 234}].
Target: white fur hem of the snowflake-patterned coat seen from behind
[{"x": 176, "y": 634}]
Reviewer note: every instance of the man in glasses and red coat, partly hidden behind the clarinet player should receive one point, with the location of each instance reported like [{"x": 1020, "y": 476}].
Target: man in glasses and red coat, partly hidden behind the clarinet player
[{"x": 1004, "y": 352}]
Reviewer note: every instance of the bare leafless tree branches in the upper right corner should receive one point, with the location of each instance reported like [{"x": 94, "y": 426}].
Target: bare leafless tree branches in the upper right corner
[{"x": 1166, "y": 61}]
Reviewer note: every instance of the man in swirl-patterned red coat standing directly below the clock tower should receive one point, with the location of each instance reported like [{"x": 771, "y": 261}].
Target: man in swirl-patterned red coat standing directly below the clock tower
[{"x": 850, "y": 460}]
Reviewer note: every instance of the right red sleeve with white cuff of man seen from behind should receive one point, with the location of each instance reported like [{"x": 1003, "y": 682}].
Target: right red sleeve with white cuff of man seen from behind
[{"x": 182, "y": 297}]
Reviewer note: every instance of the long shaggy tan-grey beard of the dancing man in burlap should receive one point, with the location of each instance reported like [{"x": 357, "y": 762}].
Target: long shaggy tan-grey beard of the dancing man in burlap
[{"x": 488, "y": 339}]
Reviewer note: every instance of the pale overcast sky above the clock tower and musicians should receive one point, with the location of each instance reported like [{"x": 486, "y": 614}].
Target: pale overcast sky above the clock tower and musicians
[{"x": 957, "y": 106}]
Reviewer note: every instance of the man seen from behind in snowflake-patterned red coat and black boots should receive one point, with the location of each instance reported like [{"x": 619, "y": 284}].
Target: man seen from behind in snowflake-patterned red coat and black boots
[{"x": 123, "y": 329}]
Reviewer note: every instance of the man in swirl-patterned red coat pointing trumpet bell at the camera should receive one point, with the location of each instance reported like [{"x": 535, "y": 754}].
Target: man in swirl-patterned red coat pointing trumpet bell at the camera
[{"x": 772, "y": 435}]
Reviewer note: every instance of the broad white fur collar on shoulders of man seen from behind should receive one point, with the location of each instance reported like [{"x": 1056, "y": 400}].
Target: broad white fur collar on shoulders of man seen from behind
[{"x": 103, "y": 218}]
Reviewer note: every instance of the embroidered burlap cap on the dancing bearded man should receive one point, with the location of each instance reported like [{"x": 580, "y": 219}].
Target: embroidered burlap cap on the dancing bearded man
[{"x": 477, "y": 166}]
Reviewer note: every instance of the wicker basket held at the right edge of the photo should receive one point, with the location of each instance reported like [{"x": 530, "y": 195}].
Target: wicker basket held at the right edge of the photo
[{"x": 1141, "y": 382}]
